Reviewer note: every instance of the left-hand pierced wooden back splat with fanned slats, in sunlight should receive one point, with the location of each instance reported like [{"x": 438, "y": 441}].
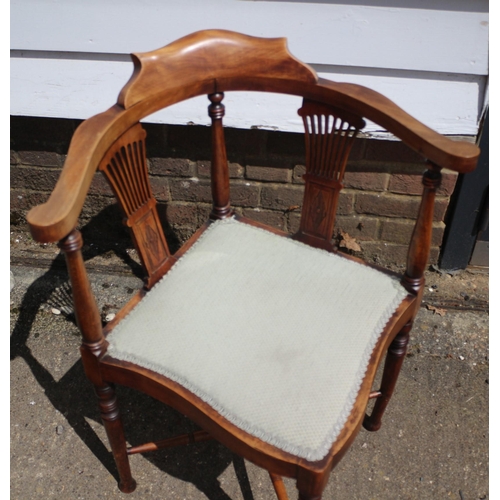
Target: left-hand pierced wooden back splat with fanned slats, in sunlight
[{"x": 125, "y": 168}]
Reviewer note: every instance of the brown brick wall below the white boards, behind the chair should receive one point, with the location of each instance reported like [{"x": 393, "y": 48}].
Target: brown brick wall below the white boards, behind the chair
[{"x": 377, "y": 206}]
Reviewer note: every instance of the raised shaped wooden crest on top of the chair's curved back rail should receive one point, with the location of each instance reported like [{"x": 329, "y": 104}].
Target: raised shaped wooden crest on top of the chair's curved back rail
[{"x": 205, "y": 56}]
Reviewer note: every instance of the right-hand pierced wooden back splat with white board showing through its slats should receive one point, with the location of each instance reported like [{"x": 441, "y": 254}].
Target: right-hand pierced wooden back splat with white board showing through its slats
[{"x": 329, "y": 136}]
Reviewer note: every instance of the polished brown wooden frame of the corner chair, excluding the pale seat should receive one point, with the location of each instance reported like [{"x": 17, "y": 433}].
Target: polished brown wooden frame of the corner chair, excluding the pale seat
[{"x": 213, "y": 62}]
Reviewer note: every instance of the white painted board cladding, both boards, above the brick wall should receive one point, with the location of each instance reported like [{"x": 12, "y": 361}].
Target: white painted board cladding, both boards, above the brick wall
[{"x": 69, "y": 57}]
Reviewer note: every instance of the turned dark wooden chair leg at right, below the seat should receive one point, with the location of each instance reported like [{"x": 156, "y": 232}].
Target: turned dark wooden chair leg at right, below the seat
[{"x": 393, "y": 363}]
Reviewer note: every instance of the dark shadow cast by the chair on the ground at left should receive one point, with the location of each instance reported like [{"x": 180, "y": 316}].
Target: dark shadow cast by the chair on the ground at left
[{"x": 145, "y": 419}]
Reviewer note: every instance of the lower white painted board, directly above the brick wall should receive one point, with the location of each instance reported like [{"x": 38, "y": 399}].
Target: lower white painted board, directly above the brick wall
[{"x": 81, "y": 88}]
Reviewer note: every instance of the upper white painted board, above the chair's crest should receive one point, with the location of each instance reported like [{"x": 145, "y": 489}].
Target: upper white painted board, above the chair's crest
[{"x": 441, "y": 36}]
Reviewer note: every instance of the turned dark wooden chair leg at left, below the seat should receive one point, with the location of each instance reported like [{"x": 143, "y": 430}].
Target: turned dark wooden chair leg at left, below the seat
[{"x": 111, "y": 418}]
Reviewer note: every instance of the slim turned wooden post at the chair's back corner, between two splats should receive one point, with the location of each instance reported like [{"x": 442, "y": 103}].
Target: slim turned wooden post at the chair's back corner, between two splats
[{"x": 219, "y": 170}]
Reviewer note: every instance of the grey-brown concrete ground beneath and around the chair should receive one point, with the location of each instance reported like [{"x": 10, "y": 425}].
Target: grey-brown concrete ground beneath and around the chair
[{"x": 433, "y": 443}]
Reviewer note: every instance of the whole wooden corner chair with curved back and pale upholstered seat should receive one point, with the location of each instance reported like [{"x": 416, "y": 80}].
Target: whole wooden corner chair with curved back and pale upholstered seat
[{"x": 277, "y": 352}]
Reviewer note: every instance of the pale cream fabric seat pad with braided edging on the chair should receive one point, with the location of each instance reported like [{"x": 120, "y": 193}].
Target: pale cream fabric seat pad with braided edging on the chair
[{"x": 274, "y": 334}]
